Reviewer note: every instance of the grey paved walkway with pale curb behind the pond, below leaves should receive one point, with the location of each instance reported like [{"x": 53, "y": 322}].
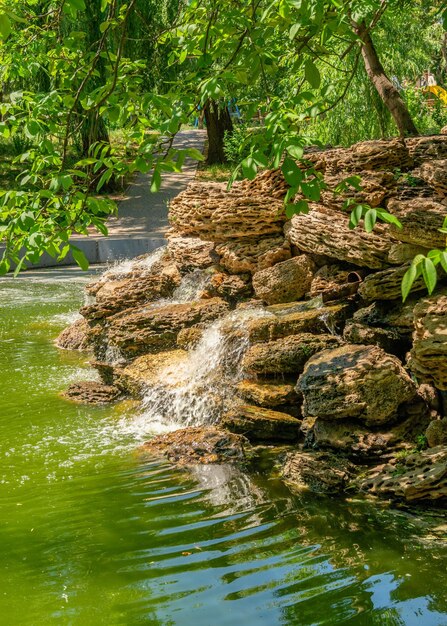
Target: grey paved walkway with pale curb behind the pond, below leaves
[{"x": 142, "y": 219}]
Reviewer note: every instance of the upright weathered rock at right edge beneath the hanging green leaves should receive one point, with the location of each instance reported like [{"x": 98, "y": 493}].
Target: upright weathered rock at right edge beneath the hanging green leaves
[{"x": 428, "y": 357}]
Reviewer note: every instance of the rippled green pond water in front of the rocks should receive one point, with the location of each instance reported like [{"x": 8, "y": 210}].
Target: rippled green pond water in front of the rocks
[{"x": 93, "y": 533}]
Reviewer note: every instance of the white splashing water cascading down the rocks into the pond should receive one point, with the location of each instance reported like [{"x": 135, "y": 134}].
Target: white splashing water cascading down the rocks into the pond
[{"x": 200, "y": 388}]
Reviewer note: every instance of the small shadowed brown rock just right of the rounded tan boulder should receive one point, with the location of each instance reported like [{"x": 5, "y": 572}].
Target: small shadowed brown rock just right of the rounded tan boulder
[{"x": 332, "y": 282}]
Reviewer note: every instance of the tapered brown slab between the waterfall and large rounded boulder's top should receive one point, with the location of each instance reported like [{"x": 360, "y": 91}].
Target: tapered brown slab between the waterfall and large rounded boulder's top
[{"x": 287, "y": 355}]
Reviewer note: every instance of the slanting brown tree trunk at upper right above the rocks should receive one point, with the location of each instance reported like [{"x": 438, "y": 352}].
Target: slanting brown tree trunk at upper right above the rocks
[{"x": 386, "y": 89}]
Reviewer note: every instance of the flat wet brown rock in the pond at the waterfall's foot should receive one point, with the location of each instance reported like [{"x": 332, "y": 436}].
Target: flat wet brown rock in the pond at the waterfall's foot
[{"x": 199, "y": 445}]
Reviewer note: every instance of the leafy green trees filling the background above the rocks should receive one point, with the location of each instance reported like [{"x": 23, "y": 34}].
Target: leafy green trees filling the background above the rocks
[{"x": 76, "y": 73}]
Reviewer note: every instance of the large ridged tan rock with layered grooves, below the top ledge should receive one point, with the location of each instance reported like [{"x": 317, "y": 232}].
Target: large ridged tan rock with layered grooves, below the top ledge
[{"x": 325, "y": 231}]
